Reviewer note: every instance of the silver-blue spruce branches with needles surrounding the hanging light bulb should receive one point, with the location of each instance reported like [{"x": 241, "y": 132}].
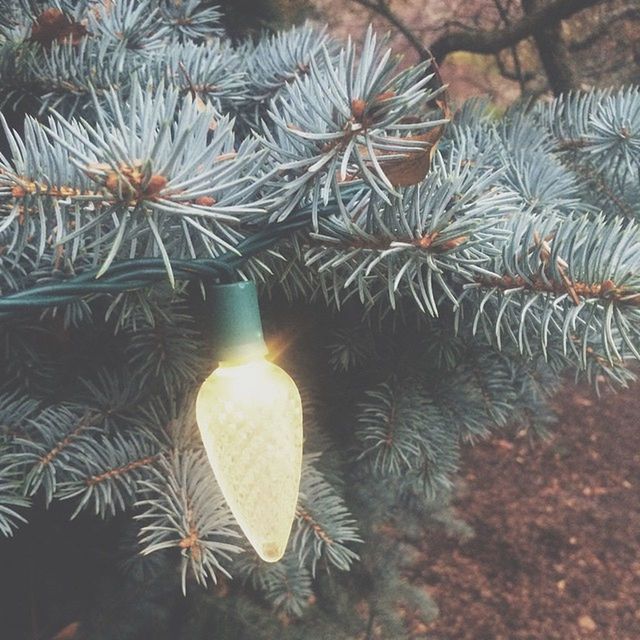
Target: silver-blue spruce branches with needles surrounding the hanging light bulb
[{"x": 457, "y": 266}]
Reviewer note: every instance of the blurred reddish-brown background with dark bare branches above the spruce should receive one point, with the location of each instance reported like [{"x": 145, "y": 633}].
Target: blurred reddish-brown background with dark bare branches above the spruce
[{"x": 537, "y": 47}]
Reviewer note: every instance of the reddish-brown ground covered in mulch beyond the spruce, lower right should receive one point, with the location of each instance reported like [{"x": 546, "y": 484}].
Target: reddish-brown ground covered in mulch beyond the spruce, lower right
[{"x": 556, "y": 555}]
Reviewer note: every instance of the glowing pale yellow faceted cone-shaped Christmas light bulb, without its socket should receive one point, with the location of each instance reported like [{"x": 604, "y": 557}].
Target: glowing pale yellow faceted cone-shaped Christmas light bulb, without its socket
[{"x": 250, "y": 420}]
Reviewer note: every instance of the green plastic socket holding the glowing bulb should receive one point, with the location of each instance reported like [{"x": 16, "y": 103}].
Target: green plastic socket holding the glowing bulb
[{"x": 237, "y": 327}]
